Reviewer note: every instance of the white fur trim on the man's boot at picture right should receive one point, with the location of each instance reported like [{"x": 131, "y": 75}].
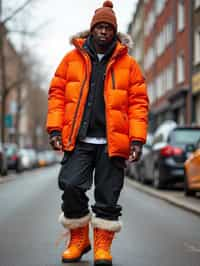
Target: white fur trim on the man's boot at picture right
[{"x": 109, "y": 225}]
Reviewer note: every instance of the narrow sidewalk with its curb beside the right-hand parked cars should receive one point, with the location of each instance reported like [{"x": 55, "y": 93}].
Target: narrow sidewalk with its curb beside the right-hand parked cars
[{"x": 174, "y": 197}]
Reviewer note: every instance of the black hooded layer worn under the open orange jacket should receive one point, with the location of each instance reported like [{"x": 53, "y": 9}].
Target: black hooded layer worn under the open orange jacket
[{"x": 93, "y": 123}]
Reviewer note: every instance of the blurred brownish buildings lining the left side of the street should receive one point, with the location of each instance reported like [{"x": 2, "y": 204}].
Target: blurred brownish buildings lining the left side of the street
[{"x": 22, "y": 101}]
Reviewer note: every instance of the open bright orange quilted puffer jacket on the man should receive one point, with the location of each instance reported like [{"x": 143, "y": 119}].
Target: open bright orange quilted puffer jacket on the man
[{"x": 125, "y": 95}]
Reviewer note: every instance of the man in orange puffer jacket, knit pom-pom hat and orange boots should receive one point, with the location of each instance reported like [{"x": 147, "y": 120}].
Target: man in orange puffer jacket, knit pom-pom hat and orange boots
[{"x": 97, "y": 114}]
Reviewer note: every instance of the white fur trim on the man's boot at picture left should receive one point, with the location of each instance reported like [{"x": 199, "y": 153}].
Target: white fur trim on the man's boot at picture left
[{"x": 71, "y": 223}]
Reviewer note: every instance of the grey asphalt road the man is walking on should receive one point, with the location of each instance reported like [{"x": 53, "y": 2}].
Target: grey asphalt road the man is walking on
[{"x": 154, "y": 232}]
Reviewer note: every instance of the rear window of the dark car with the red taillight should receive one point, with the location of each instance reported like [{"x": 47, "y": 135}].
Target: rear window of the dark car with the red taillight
[{"x": 186, "y": 136}]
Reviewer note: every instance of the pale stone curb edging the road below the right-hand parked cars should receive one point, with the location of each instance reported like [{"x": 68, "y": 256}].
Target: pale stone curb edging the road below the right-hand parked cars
[{"x": 168, "y": 198}]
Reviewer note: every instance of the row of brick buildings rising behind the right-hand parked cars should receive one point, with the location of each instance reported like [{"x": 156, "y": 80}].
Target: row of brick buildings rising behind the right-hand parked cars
[{"x": 166, "y": 35}]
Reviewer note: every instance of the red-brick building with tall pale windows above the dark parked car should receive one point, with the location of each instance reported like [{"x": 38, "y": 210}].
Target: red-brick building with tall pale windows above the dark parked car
[{"x": 167, "y": 59}]
